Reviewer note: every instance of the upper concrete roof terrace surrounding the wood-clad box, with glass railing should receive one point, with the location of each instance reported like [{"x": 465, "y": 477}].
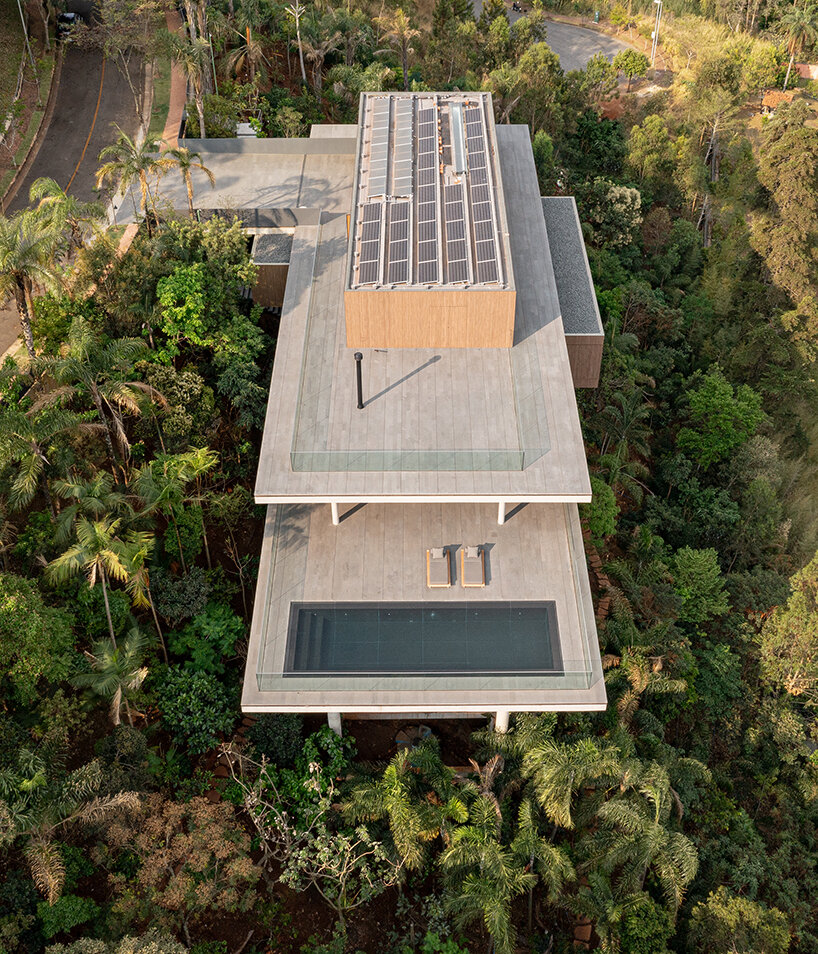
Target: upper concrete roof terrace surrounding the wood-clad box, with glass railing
[{"x": 515, "y": 406}]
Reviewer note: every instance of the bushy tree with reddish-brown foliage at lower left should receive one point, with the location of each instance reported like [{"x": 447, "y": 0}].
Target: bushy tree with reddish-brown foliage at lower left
[{"x": 193, "y": 862}]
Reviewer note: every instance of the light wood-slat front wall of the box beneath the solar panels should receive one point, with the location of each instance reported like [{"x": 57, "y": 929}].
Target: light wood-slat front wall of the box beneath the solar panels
[{"x": 395, "y": 318}]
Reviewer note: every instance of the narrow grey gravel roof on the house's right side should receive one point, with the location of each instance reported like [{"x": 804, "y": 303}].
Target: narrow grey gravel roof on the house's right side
[{"x": 575, "y": 289}]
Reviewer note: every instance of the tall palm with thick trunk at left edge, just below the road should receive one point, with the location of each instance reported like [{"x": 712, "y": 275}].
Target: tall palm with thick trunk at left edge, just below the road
[{"x": 28, "y": 248}]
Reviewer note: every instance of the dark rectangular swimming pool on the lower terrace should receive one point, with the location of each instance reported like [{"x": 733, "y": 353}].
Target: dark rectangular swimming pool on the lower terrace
[{"x": 415, "y": 638}]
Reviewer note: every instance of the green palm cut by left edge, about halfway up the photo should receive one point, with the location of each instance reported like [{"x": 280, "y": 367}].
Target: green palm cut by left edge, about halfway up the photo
[{"x": 25, "y": 439}]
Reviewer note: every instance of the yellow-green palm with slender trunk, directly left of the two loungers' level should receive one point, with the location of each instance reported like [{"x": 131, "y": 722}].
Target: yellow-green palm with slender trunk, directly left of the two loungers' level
[{"x": 98, "y": 553}]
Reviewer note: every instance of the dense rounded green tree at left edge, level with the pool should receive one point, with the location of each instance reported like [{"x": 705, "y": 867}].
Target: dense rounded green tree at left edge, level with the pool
[{"x": 36, "y": 640}]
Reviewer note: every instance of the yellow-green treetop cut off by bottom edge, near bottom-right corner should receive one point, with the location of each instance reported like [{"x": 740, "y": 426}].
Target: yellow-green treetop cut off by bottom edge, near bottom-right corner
[{"x": 726, "y": 922}]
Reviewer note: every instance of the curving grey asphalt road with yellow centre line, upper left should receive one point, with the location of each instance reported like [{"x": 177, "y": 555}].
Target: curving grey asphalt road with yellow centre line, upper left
[{"x": 92, "y": 96}]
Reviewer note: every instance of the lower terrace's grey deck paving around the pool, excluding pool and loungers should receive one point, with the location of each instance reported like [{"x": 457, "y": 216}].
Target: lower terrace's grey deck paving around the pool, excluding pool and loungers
[{"x": 377, "y": 554}]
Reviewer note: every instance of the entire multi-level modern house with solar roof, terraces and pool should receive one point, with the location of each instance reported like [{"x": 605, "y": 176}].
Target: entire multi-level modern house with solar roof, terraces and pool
[{"x": 422, "y": 550}]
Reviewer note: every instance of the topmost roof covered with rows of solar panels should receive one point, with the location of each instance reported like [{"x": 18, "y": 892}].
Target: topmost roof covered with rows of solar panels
[{"x": 411, "y": 203}]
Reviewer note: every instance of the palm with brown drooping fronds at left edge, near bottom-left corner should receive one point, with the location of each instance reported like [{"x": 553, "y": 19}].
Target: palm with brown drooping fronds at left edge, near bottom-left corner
[{"x": 39, "y": 802}]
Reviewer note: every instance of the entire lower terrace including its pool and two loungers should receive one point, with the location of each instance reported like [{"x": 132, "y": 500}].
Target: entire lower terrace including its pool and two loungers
[{"x": 345, "y": 620}]
